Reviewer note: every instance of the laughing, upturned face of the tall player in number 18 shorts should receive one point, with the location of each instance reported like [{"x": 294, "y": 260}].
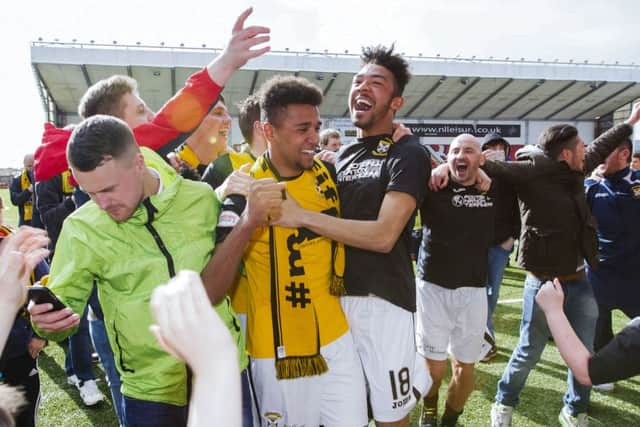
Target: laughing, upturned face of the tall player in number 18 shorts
[{"x": 372, "y": 100}]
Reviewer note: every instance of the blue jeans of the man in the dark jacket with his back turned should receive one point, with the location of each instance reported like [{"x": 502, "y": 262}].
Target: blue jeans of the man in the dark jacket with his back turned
[{"x": 581, "y": 310}]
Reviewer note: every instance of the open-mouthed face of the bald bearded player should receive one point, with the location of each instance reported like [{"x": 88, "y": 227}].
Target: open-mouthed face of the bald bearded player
[{"x": 464, "y": 159}]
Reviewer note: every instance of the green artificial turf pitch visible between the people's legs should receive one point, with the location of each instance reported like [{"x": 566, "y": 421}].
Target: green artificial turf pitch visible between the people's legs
[{"x": 540, "y": 404}]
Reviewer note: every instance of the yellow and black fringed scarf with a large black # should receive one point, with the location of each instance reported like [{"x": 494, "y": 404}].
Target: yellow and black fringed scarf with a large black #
[{"x": 298, "y": 273}]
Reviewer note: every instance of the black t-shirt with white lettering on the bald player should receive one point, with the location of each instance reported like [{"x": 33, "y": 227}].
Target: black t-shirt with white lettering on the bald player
[{"x": 458, "y": 229}]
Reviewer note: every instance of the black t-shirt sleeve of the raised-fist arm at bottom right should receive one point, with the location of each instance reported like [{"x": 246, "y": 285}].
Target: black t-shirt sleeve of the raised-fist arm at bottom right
[{"x": 620, "y": 358}]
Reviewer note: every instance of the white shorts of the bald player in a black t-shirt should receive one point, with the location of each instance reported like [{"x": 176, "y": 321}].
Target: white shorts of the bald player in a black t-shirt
[{"x": 450, "y": 320}]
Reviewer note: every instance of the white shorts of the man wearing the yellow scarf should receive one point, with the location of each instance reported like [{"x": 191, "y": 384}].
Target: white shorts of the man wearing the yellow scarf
[{"x": 335, "y": 398}]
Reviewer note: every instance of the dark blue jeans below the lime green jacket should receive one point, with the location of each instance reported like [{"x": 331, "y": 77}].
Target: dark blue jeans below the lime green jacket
[{"x": 142, "y": 413}]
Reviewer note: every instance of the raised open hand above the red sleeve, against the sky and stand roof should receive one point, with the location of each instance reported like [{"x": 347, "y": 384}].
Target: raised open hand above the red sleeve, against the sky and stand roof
[{"x": 239, "y": 49}]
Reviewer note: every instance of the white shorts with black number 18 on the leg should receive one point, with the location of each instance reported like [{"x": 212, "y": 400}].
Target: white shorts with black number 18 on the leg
[{"x": 385, "y": 341}]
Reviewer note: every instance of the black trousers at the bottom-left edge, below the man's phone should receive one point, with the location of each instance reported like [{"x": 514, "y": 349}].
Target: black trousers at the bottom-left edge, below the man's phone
[{"x": 22, "y": 372}]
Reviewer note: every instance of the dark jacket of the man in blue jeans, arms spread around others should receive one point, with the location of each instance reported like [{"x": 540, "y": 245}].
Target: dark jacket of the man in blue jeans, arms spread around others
[{"x": 558, "y": 230}]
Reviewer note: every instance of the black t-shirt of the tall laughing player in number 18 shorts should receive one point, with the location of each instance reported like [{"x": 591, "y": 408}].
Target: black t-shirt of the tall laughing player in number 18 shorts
[{"x": 367, "y": 170}]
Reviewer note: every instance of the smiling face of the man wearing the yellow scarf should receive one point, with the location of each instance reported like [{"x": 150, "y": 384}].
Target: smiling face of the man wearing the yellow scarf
[{"x": 293, "y": 140}]
